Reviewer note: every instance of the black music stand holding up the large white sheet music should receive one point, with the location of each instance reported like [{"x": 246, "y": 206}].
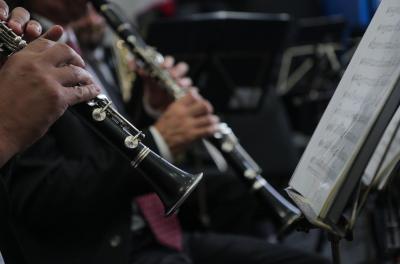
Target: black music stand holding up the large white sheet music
[{"x": 352, "y": 196}]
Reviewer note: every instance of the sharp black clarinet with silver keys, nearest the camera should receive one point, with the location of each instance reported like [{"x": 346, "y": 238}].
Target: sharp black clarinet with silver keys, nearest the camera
[{"x": 170, "y": 183}]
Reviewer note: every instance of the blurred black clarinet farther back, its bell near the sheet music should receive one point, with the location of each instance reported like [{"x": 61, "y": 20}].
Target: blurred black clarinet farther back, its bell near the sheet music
[{"x": 224, "y": 139}]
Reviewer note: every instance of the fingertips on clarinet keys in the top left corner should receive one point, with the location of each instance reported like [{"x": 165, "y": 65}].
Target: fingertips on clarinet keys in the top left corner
[{"x": 19, "y": 21}]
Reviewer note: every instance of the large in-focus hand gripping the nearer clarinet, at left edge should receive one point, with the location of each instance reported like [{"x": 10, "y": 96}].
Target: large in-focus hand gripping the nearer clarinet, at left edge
[{"x": 37, "y": 85}]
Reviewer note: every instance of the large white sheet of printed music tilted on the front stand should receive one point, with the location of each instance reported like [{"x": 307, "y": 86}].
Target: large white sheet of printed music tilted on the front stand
[{"x": 356, "y": 104}]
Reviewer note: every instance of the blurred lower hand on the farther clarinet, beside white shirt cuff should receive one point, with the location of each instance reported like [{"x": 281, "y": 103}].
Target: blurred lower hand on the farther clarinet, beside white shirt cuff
[{"x": 185, "y": 121}]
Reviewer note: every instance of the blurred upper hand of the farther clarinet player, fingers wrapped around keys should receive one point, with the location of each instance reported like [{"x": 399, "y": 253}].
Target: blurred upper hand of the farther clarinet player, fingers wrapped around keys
[{"x": 156, "y": 96}]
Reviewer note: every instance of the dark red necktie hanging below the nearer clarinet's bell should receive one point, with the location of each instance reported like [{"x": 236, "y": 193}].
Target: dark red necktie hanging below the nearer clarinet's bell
[{"x": 167, "y": 230}]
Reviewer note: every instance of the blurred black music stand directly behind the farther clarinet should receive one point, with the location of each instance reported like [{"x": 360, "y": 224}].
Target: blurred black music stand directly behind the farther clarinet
[{"x": 232, "y": 54}]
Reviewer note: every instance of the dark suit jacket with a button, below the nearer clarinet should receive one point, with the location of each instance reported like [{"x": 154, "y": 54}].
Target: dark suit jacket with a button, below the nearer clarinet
[{"x": 71, "y": 195}]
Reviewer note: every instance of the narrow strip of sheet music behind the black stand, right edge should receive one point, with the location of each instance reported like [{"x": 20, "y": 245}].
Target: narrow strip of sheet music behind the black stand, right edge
[{"x": 386, "y": 151}]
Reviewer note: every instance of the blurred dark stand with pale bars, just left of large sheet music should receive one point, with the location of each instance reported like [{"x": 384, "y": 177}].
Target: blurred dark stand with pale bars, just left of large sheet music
[{"x": 311, "y": 69}]
